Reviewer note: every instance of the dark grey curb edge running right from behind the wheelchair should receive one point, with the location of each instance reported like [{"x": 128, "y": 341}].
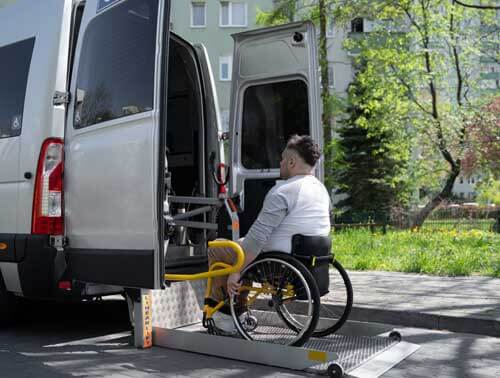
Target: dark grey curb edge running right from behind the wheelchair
[{"x": 488, "y": 327}]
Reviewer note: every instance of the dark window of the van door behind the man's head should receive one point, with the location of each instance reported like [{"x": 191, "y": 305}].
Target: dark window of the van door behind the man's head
[{"x": 271, "y": 114}]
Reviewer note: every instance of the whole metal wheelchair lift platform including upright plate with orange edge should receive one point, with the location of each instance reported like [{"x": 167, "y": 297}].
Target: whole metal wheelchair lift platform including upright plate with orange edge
[{"x": 171, "y": 318}]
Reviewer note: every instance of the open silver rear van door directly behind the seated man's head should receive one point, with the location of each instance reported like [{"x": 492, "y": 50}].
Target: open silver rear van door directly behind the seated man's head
[{"x": 275, "y": 94}]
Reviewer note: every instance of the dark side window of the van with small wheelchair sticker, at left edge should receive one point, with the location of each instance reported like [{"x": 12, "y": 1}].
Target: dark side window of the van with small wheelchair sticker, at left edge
[{"x": 15, "y": 60}]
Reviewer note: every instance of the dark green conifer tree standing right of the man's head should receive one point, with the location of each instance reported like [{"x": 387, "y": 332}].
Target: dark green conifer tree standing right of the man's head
[{"x": 367, "y": 167}]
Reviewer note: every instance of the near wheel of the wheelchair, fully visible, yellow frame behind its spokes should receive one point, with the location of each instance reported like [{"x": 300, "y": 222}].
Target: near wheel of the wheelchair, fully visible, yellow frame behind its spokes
[{"x": 270, "y": 285}]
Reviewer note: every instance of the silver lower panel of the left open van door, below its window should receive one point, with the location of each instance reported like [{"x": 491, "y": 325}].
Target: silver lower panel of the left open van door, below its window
[{"x": 109, "y": 185}]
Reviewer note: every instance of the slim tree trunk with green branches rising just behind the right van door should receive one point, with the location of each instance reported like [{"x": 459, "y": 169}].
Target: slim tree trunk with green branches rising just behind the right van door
[{"x": 288, "y": 11}]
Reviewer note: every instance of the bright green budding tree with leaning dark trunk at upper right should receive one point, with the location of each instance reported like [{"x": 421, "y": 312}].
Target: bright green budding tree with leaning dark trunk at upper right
[{"x": 428, "y": 66}]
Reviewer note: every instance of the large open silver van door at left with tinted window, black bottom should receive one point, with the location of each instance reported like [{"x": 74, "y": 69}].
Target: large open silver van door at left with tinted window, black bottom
[{"x": 115, "y": 144}]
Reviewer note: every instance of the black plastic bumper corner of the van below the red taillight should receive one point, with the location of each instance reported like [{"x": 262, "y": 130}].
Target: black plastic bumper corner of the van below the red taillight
[{"x": 34, "y": 258}]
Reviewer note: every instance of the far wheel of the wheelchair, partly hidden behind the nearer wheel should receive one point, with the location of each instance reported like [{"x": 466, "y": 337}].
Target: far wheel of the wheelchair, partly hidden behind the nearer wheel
[{"x": 334, "y": 309}]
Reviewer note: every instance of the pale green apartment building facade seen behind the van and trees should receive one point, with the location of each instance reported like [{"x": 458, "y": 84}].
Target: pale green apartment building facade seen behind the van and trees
[{"x": 212, "y": 22}]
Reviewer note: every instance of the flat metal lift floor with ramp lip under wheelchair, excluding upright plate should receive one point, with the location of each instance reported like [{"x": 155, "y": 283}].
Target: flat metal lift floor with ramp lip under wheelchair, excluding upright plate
[{"x": 360, "y": 356}]
